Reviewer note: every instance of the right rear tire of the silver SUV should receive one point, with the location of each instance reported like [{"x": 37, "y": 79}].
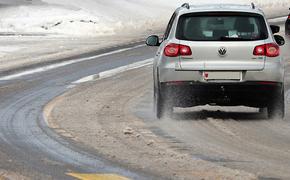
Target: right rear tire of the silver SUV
[{"x": 276, "y": 109}]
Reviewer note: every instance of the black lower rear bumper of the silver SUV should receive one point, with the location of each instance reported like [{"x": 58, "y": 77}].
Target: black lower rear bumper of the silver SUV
[{"x": 253, "y": 94}]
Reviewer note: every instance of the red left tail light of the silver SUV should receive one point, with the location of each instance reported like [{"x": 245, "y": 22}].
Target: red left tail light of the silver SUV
[{"x": 174, "y": 50}]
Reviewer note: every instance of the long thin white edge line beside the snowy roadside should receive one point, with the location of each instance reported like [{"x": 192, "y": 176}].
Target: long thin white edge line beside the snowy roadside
[{"x": 54, "y": 66}]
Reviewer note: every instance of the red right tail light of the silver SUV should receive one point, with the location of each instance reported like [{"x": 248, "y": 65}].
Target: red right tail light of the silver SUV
[{"x": 269, "y": 50}]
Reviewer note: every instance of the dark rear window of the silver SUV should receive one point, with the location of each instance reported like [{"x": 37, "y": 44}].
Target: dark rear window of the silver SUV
[{"x": 221, "y": 27}]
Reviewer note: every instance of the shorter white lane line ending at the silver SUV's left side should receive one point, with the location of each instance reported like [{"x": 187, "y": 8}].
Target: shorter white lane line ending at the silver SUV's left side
[{"x": 115, "y": 71}]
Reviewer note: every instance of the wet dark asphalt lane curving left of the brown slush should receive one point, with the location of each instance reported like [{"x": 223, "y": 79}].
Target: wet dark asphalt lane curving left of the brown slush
[{"x": 28, "y": 146}]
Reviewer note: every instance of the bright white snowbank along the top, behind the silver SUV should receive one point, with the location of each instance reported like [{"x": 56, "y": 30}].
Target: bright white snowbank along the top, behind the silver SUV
[{"x": 99, "y": 17}]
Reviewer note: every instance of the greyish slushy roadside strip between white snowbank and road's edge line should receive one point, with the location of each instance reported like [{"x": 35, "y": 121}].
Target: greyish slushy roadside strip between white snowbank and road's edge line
[{"x": 20, "y": 52}]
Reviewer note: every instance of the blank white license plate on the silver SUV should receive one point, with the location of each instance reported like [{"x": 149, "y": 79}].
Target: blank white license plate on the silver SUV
[{"x": 222, "y": 75}]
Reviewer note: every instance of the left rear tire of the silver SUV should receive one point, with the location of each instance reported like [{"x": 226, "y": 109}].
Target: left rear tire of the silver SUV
[{"x": 162, "y": 106}]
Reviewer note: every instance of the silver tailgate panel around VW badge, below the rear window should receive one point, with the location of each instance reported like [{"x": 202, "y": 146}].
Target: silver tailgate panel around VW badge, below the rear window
[{"x": 238, "y": 57}]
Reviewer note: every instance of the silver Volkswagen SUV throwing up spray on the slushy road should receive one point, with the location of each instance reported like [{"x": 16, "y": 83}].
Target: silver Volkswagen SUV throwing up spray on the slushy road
[{"x": 224, "y": 55}]
